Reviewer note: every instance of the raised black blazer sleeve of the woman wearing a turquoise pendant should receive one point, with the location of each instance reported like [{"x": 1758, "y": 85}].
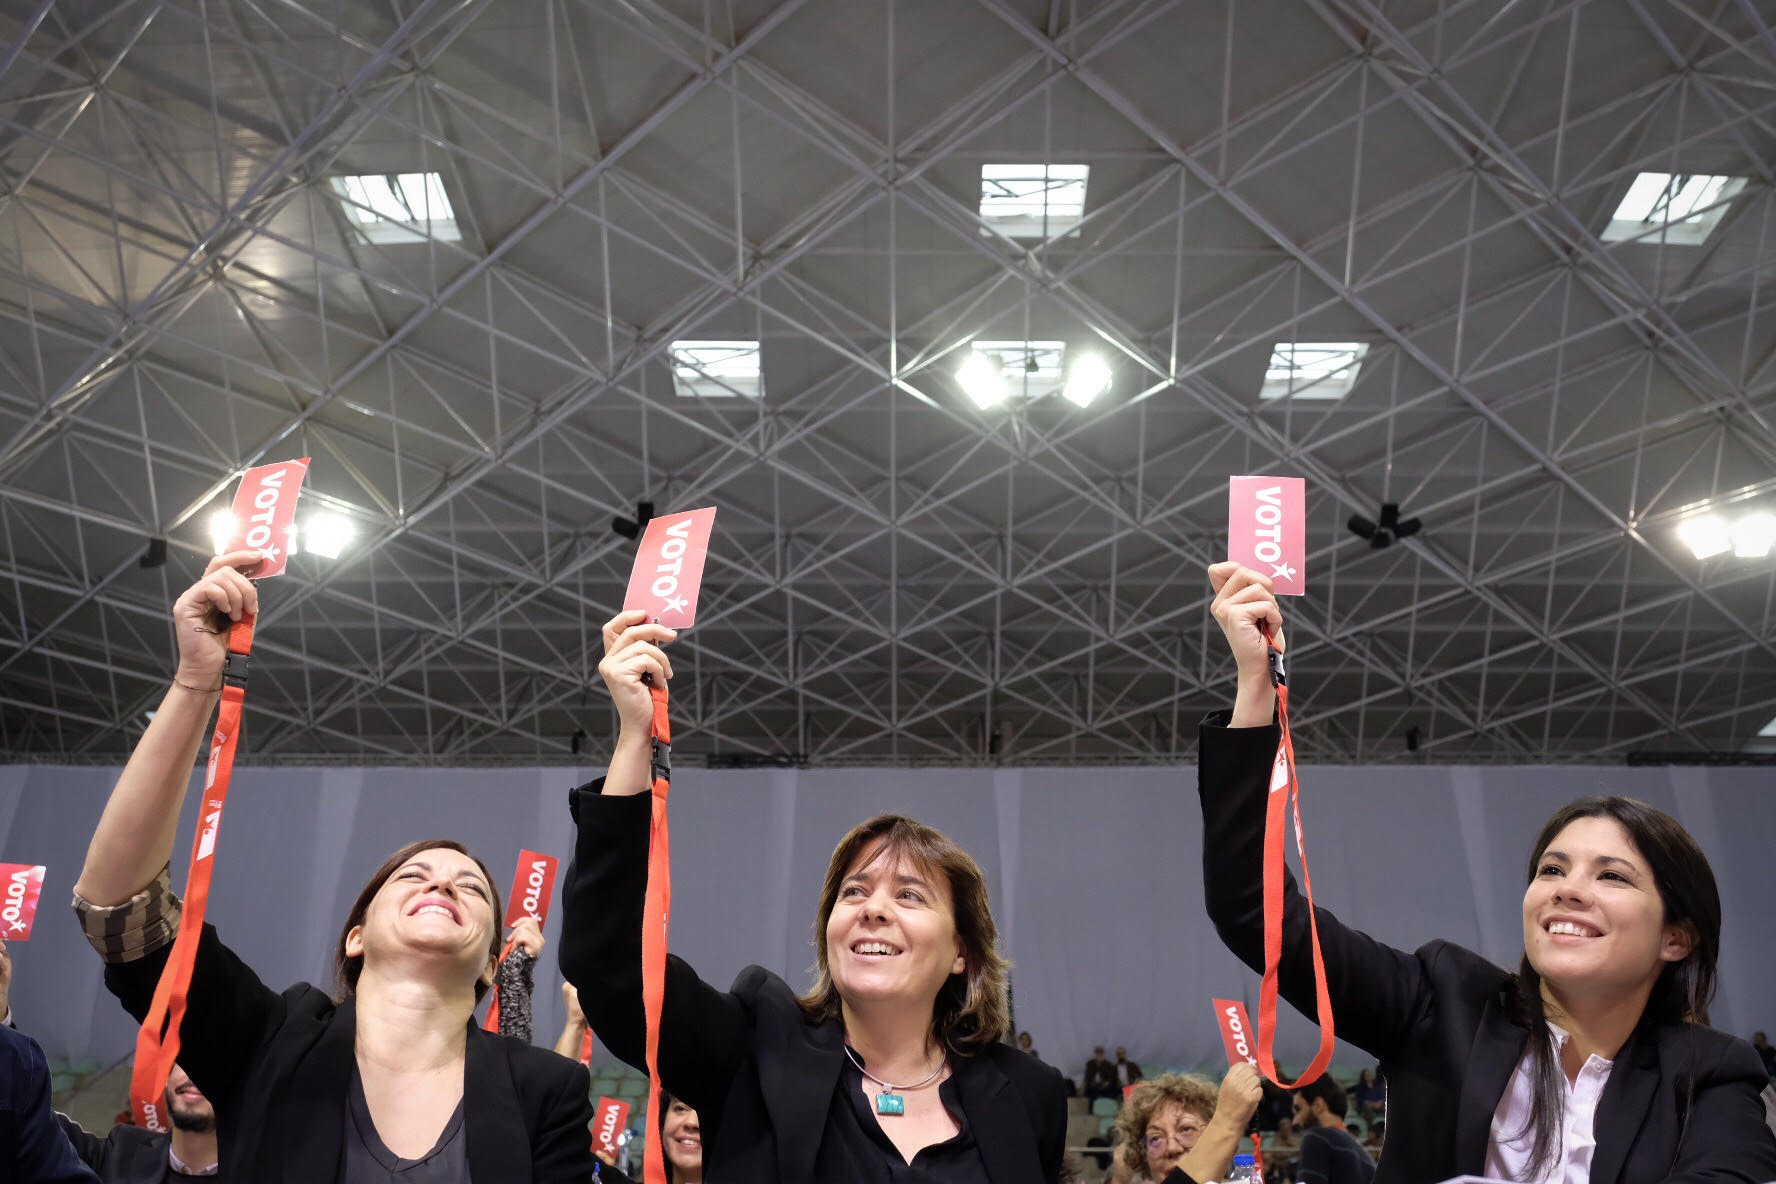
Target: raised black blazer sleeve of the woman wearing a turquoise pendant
[{"x": 704, "y": 1032}]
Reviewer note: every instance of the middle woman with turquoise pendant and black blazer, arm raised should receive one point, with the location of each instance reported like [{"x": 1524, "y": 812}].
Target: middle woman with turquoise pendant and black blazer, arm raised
[{"x": 892, "y": 1068}]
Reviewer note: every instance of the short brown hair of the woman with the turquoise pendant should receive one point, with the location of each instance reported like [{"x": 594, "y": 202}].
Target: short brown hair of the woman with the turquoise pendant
[{"x": 972, "y": 1007}]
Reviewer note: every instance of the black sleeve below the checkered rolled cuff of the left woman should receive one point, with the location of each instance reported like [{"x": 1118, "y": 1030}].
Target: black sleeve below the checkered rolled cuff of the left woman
[{"x": 230, "y": 1013}]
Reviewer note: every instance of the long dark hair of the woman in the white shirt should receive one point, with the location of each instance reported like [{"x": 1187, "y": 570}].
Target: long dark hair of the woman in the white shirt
[{"x": 1685, "y": 990}]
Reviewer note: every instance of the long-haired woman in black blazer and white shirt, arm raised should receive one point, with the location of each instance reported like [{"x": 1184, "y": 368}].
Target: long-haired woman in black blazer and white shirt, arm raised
[{"x": 1592, "y": 1062}]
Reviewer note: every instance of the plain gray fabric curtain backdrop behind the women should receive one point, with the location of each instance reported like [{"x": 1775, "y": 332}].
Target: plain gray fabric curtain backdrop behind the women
[{"x": 1095, "y": 872}]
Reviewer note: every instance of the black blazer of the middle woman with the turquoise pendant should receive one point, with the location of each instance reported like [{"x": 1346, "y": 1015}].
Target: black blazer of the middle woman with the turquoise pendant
[{"x": 759, "y": 1075}]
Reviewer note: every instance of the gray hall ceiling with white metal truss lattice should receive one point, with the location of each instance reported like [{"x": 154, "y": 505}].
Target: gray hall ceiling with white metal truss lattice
[{"x": 900, "y": 578}]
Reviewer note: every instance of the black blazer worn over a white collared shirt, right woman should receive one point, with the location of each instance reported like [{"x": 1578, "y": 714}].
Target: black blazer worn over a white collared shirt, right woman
[{"x": 1441, "y": 1027}]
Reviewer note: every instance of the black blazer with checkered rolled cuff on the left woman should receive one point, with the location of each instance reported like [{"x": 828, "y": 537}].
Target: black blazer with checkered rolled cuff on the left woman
[{"x": 278, "y": 1068}]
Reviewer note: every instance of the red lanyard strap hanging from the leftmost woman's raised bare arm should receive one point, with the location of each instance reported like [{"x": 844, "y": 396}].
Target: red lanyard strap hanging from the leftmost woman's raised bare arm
[{"x": 157, "y": 1046}]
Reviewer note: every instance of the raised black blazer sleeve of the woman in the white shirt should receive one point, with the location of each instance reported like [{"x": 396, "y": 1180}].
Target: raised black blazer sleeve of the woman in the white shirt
[{"x": 1377, "y": 991}]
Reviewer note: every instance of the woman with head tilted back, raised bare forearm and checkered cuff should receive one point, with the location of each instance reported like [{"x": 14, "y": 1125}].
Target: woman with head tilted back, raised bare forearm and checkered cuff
[{"x": 390, "y": 1075}]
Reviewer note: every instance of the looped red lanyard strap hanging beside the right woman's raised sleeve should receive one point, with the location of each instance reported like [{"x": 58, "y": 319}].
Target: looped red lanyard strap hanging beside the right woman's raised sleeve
[{"x": 1287, "y": 796}]
